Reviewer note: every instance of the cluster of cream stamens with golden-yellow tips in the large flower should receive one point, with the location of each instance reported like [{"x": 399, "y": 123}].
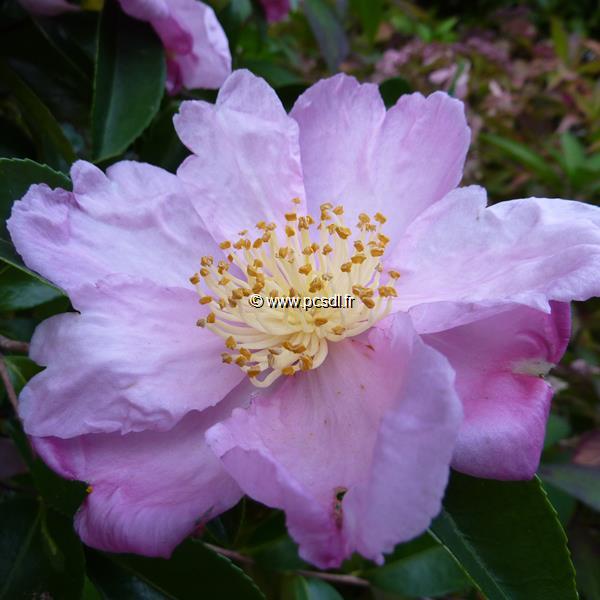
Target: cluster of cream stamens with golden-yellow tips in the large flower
[{"x": 278, "y": 301}]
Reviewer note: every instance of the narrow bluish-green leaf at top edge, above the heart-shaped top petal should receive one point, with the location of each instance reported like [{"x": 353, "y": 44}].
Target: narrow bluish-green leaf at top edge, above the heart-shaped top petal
[{"x": 328, "y": 31}]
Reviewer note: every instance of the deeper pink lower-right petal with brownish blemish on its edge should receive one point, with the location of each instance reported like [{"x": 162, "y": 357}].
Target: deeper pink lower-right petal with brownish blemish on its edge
[{"x": 498, "y": 363}]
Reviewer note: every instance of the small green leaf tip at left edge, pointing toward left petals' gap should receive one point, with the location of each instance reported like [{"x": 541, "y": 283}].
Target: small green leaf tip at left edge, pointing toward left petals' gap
[{"x": 19, "y": 291}]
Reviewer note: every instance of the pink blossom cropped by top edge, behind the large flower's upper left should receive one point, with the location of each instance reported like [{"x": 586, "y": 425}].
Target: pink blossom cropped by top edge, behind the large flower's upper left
[{"x": 197, "y": 49}]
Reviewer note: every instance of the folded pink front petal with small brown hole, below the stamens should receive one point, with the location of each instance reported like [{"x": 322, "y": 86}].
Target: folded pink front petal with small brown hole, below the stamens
[{"x": 356, "y": 452}]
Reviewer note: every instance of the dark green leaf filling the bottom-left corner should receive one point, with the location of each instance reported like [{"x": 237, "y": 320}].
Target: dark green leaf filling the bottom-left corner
[{"x": 40, "y": 555}]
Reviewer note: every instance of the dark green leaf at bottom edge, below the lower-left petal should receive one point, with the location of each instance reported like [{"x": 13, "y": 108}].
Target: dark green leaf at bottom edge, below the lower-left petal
[{"x": 193, "y": 571}]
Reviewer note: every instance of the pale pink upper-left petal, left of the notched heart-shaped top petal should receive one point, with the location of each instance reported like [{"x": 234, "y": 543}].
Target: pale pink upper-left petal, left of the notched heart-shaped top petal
[{"x": 246, "y": 166}]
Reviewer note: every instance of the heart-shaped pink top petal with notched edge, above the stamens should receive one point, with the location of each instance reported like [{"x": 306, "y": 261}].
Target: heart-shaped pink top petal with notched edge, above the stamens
[{"x": 356, "y": 154}]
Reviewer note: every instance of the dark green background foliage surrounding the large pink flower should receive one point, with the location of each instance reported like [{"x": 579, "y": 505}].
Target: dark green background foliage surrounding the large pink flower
[{"x": 91, "y": 85}]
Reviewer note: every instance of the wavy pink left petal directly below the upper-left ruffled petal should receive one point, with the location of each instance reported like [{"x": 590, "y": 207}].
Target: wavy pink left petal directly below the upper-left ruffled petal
[{"x": 132, "y": 360}]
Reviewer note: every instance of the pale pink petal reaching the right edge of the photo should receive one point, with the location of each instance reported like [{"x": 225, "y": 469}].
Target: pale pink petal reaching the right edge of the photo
[{"x": 460, "y": 261}]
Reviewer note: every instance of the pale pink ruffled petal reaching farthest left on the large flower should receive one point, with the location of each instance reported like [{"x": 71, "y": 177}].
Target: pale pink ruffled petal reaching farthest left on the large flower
[{"x": 135, "y": 220}]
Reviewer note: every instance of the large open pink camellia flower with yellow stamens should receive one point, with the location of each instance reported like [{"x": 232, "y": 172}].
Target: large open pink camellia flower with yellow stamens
[{"x": 172, "y": 396}]
